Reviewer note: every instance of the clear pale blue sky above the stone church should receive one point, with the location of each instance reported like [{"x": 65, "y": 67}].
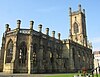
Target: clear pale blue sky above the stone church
[{"x": 52, "y": 14}]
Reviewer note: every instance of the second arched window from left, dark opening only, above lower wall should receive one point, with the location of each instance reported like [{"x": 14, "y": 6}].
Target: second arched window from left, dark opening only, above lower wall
[{"x": 22, "y": 53}]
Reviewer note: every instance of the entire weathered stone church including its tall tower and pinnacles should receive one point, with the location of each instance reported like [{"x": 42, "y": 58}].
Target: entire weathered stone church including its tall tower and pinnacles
[{"x": 31, "y": 51}]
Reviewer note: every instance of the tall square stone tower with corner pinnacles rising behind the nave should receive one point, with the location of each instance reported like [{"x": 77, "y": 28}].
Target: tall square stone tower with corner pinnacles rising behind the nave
[{"x": 78, "y": 26}]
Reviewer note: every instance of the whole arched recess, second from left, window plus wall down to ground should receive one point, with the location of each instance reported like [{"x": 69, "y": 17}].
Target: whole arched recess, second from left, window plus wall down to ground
[{"x": 22, "y": 57}]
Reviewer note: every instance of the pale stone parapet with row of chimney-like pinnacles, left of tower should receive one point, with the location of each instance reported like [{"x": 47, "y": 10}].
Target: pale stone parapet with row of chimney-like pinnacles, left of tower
[{"x": 27, "y": 31}]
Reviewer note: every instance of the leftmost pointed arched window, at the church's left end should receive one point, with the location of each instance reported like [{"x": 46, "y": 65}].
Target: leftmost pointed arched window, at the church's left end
[{"x": 9, "y": 52}]
